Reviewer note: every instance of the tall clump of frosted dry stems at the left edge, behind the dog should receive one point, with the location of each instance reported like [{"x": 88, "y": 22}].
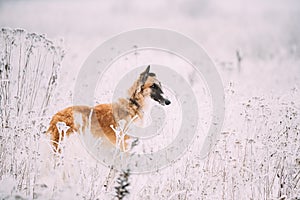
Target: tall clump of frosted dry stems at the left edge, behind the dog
[{"x": 29, "y": 67}]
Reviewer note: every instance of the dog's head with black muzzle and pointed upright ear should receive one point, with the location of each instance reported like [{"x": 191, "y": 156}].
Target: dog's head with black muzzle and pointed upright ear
[{"x": 148, "y": 85}]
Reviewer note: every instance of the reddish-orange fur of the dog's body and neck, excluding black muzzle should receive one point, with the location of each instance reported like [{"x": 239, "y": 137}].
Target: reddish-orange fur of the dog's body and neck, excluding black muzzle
[{"x": 102, "y": 115}]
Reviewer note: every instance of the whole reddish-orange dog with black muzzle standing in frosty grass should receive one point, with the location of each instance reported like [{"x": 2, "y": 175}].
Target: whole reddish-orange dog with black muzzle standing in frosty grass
[{"x": 100, "y": 119}]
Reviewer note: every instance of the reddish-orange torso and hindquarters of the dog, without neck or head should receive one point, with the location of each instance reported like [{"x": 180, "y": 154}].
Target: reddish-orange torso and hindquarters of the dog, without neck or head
[{"x": 78, "y": 119}]
